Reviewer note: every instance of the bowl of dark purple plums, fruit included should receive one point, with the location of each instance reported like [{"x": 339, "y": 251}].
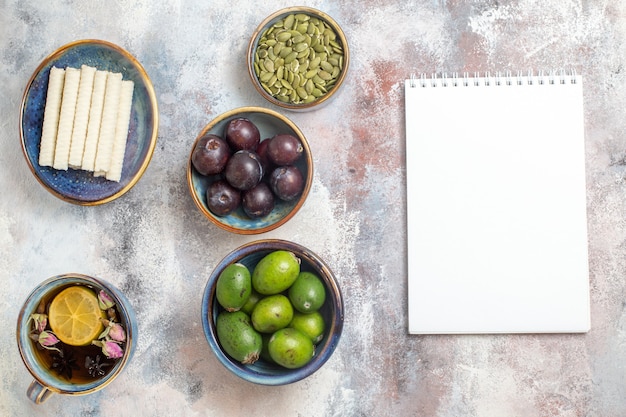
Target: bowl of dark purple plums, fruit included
[{"x": 250, "y": 170}]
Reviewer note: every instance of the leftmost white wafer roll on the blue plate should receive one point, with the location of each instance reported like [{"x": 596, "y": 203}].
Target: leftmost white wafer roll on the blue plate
[{"x": 51, "y": 116}]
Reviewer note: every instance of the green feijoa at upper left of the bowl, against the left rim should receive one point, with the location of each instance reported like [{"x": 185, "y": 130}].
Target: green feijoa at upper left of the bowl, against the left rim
[{"x": 233, "y": 287}]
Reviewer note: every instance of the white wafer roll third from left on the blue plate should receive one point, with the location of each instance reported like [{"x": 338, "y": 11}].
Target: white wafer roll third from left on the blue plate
[{"x": 81, "y": 117}]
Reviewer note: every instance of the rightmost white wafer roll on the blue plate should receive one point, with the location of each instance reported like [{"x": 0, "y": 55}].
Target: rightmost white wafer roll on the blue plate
[{"x": 121, "y": 131}]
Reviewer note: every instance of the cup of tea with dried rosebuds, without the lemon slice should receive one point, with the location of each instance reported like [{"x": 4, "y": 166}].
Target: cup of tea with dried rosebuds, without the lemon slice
[{"x": 64, "y": 369}]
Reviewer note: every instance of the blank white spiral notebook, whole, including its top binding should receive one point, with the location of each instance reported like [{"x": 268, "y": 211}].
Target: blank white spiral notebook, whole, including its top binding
[{"x": 496, "y": 204}]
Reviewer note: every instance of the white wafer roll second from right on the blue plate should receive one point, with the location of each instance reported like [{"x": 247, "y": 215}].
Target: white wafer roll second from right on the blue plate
[{"x": 109, "y": 122}]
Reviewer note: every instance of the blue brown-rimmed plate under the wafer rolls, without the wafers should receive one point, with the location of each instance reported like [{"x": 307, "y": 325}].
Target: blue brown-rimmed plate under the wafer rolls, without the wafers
[{"x": 76, "y": 186}]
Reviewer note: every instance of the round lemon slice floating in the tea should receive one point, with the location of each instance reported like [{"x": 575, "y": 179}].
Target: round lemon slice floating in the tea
[{"x": 75, "y": 316}]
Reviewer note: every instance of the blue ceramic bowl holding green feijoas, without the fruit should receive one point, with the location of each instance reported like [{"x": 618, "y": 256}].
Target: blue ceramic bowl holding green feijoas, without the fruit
[{"x": 262, "y": 372}]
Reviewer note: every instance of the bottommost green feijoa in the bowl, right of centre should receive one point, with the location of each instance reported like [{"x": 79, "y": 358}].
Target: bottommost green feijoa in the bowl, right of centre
[{"x": 291, "y": 348}]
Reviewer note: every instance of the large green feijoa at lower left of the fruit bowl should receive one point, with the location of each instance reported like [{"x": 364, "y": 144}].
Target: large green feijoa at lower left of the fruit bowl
[{"x": 237, "y": 336}]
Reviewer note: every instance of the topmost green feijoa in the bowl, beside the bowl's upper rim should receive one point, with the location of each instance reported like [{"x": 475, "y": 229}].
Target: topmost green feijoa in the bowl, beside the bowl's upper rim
[{"x": 275, "y": 272}]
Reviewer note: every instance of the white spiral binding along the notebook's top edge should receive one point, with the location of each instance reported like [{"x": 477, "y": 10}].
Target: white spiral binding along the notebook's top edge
[{"x": 497, "y": 79}]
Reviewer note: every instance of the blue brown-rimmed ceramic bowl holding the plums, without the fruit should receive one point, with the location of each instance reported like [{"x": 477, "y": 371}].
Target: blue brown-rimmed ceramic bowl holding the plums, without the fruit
[{"x": 269, "y": 123}]
